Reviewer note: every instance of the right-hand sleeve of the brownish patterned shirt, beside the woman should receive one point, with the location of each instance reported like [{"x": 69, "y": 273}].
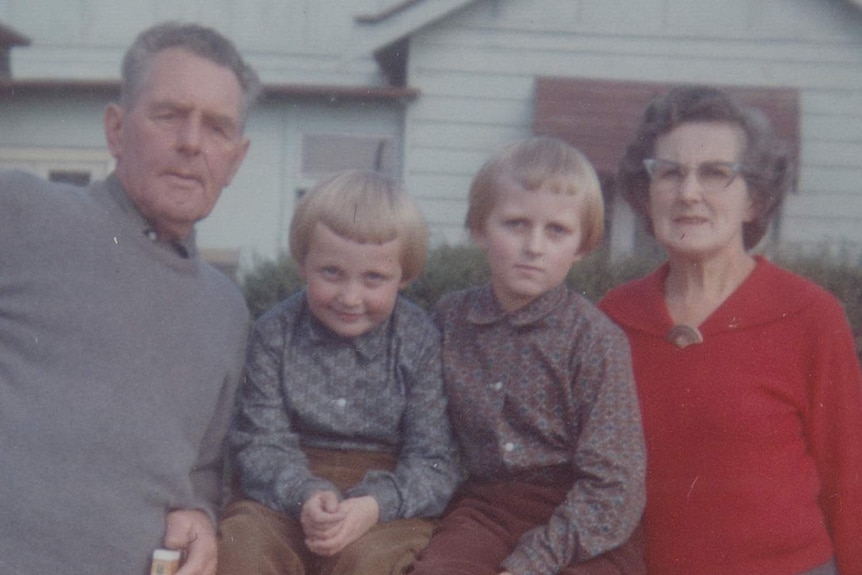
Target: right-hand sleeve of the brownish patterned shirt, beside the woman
[{"x": 604, "y": 505}]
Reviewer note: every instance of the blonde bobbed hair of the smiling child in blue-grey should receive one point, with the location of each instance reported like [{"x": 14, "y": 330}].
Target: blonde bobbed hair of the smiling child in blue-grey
[{"x": 365, "y": 207}]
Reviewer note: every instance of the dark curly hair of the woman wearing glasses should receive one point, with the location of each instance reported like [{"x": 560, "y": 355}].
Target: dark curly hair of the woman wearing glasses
[{"x": 767, "y": 166}]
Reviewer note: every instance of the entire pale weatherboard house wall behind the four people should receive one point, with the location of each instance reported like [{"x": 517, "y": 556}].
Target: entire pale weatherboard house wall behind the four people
[{"x": 474, "y": 71}]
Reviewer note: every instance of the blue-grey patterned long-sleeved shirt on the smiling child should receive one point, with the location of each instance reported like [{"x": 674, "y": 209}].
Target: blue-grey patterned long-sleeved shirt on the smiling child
[{"x": 306, "y": 387}]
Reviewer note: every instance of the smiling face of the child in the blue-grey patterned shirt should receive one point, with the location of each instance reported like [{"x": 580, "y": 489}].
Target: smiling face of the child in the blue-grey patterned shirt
[{"x": 351, "y": 287}]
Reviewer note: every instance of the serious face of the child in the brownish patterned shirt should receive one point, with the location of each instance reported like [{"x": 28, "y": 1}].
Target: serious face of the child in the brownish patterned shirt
[{"x": 531, "y": 240}]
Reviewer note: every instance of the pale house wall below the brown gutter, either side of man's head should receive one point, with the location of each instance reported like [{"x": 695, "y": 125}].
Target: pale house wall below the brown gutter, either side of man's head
[{"x": 253, "y": 214}]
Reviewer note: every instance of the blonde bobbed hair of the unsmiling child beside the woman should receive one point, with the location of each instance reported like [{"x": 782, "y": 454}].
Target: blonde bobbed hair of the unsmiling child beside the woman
[{"x": 540, "y": 163}]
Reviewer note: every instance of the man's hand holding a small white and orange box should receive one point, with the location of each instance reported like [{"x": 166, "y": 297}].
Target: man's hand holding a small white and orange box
[{"x": 192, "y": 532}]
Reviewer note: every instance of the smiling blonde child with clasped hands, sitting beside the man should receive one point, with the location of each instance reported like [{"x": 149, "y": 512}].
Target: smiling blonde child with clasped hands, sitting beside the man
[{"x": 342, "y": 441}]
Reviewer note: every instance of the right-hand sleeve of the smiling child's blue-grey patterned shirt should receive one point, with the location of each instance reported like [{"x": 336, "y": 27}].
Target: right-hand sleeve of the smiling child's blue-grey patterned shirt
[{"x": 426, "y": 473}]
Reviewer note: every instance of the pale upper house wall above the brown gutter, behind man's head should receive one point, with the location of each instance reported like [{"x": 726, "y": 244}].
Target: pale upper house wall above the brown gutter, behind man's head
[{"x": 288, "y": 41}]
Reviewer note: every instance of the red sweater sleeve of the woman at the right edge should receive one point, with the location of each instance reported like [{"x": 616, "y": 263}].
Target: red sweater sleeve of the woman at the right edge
[{"x": 834, "y": 428}]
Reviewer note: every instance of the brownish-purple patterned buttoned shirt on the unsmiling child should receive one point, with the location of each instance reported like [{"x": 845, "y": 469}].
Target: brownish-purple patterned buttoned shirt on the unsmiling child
[{"x": 545, "y": 388}]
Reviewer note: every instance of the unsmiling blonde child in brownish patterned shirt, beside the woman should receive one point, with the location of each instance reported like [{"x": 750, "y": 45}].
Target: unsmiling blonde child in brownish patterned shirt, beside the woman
[{"x": 540, "y": 386}]
